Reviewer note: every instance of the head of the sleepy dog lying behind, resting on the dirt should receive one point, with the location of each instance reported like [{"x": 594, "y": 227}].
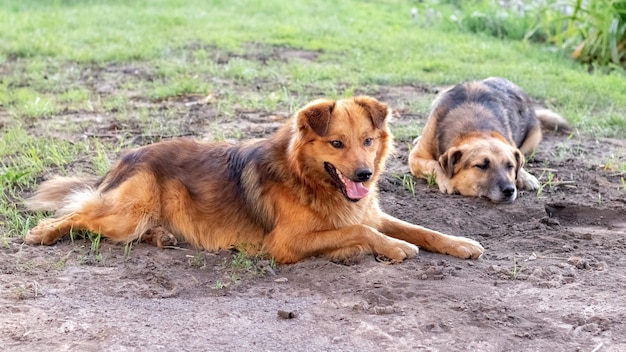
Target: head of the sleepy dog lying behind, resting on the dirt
[{"x": 483, "y": 166}]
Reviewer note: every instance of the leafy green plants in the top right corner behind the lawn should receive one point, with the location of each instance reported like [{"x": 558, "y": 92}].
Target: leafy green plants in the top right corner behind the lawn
[{"x": 591, "y": 31}]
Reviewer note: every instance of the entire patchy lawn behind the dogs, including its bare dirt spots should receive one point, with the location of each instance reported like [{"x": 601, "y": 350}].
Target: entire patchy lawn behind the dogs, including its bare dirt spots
[{"x": 67, "y": 67}]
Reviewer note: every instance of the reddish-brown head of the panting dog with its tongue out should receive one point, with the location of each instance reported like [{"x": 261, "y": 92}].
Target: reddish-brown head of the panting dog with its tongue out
[{"x": 342, "y": 143}]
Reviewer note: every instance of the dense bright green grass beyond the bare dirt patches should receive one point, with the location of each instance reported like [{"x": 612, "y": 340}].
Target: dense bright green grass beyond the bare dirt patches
[{"x": 174, "y": 39}]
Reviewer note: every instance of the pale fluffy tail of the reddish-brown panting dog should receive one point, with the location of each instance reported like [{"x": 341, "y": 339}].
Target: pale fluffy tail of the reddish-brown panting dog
[{"x": 62, "y": 194}]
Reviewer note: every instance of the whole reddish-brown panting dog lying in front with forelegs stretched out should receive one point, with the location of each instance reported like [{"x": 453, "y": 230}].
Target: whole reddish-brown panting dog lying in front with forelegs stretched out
[{"x": 308, "y": 190}]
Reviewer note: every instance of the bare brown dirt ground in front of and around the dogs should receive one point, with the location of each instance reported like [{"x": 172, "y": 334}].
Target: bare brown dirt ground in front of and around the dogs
[{"x": 552, "y": 277}]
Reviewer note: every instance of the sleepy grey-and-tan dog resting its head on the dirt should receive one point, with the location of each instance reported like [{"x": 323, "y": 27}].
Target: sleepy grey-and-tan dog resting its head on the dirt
[{"x": 476, "y": 138}]
